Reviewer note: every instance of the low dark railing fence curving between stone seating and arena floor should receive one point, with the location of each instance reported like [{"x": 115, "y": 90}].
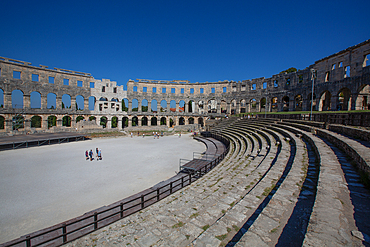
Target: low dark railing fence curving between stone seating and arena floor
[{"x": 72, "y": 229}]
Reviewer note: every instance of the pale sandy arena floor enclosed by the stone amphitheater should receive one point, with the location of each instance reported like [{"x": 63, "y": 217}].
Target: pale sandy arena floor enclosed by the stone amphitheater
[{"x": 43, "y": 186}]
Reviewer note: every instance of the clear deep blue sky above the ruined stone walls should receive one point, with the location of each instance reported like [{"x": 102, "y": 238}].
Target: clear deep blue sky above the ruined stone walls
[{"x": 189, "y": 40}]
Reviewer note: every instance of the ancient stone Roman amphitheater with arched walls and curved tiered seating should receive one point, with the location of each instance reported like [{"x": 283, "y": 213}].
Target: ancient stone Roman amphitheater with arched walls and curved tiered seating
[{"x": 271, "y": 180}]
